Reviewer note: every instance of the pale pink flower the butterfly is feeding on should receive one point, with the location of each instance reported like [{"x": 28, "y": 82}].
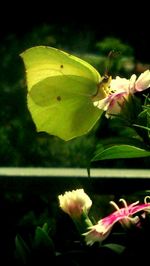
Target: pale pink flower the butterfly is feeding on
[{"x": 119, "y": 91}]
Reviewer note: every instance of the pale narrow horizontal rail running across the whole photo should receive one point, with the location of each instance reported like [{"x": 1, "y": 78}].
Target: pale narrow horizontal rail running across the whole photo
[{"x": 74, "y": 172}]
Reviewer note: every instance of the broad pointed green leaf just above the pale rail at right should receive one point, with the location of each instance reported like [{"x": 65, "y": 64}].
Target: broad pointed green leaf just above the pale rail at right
[{"x": 120, "y": 151}]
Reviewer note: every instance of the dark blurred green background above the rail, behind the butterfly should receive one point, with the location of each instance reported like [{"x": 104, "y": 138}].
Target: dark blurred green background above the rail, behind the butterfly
[{"x": 89, "y": 31}]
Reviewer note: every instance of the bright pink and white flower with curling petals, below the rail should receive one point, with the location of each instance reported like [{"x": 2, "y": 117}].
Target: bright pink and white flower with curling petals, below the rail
[{"x": 102, "y": 229}]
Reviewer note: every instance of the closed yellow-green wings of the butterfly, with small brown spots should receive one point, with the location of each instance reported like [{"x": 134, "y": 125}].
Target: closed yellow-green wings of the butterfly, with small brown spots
[{"x": 60, "y": 90}]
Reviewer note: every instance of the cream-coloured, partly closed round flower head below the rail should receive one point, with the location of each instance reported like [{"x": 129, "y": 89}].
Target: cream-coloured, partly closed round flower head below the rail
[{"x": 75, "y": 202}]
